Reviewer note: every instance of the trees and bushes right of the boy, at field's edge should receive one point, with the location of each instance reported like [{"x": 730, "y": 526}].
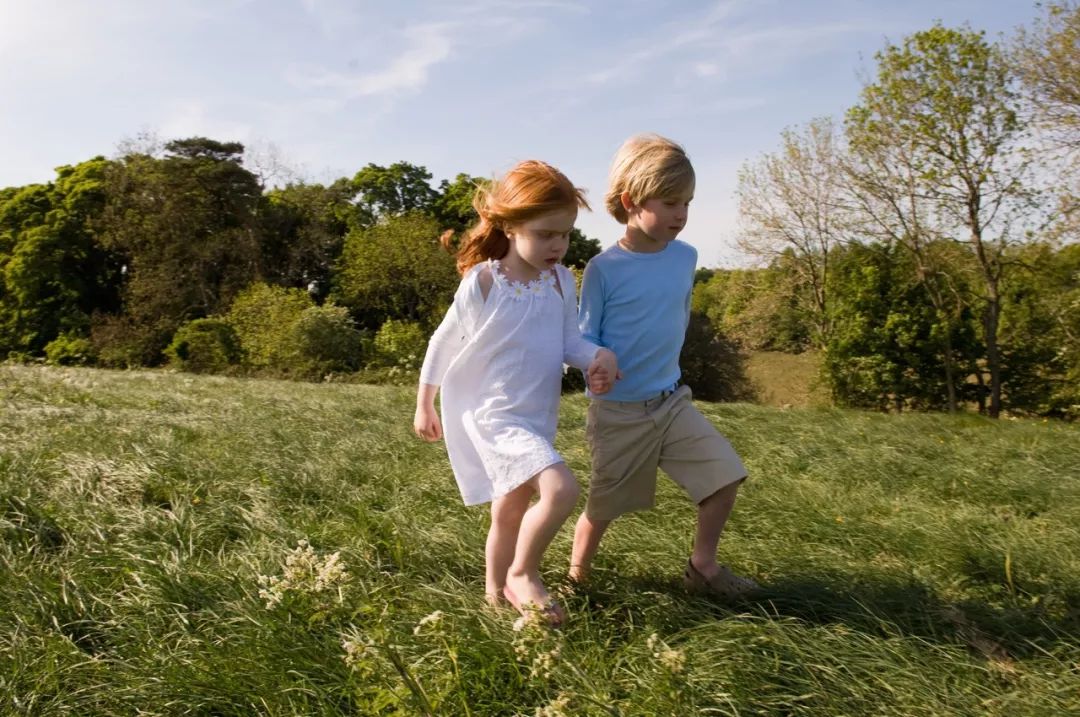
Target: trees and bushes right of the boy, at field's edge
[{"x": 925, "y": 243}]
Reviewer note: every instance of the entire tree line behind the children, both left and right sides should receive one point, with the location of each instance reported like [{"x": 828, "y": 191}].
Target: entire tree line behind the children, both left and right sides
[{"x": 922, "y": 246}]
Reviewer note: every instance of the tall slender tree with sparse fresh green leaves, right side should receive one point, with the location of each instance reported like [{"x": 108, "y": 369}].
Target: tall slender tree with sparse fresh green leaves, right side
[{"x": 949, "y": 98}]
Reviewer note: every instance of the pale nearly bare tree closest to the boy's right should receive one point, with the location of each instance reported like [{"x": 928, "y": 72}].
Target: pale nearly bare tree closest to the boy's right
[{"x": 790, "y": 202}]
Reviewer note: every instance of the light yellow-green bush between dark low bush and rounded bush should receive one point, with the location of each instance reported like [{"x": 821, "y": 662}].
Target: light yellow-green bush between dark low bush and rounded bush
[{"x": 265, "y": 318}]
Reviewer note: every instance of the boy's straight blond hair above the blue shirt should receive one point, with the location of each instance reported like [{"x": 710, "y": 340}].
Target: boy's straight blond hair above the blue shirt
[{"x": 647, "y": 167}]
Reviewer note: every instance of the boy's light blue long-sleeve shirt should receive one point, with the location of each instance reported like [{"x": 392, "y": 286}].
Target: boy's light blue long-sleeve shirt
[{"x": 639, "y": 306}]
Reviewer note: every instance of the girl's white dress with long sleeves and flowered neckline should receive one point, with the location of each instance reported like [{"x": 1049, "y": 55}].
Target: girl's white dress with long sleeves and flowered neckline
[{"x": 501, "y": 364}]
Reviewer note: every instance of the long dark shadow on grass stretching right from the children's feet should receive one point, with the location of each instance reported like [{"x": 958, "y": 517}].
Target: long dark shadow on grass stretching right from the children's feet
[{"x": 888, "y": 610}]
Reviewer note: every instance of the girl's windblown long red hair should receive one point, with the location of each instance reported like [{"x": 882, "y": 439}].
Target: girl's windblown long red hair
[{"x": 531, "y": 190}]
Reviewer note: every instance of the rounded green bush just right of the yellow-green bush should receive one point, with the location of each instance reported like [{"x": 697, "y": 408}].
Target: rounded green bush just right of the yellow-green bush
[{"x": 325, "y": 341}]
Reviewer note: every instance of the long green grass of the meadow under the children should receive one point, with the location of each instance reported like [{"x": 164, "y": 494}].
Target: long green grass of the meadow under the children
[{"x": 915, "y": 564}]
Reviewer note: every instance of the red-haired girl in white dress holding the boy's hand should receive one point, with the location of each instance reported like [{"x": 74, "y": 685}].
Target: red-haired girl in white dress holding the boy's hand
[{"x": 499, "y": 356}]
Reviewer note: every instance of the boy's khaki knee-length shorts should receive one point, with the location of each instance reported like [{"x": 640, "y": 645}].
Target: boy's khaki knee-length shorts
[{"x": 630, "y": 440}]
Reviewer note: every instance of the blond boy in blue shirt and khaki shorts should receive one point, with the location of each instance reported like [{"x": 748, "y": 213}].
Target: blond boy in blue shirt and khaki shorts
[{"x": 636, "y": 301}]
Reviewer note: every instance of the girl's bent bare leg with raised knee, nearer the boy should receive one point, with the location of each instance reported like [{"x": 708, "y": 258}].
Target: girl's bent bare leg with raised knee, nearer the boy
[{"x": 559, "y": 494}]
